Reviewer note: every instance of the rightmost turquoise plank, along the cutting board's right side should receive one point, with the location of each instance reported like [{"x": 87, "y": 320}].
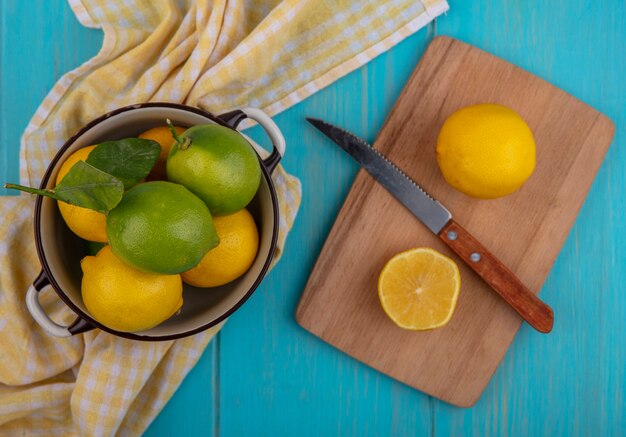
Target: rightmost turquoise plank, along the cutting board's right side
[{"x": 571, "y": 382}]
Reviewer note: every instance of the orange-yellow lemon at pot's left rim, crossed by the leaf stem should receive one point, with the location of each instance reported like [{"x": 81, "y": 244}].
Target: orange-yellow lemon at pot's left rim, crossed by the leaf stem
[{"x": 84, "y": 222}]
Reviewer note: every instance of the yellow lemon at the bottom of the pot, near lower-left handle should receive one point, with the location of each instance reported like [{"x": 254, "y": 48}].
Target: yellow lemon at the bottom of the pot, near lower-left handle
[{"x": 126, "y": 299}]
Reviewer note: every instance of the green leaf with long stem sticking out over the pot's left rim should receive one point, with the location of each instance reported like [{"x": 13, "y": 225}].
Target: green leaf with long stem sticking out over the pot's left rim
[{"x": 85, "y": 186}]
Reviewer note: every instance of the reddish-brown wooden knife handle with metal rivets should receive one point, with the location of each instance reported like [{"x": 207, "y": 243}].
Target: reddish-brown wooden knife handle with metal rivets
[{"x": 498, "y": 276}]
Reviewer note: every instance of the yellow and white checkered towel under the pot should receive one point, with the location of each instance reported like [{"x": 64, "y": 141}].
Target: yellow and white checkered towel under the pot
[{"x": 217, "y": 55}]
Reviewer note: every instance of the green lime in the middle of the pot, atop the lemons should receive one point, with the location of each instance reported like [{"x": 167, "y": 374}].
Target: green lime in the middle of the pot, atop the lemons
[{"x": 161, "y": 227}]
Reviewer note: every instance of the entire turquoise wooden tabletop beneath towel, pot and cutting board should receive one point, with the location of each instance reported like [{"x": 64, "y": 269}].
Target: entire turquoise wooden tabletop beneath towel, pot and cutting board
[{"x": 265, "y": 375}]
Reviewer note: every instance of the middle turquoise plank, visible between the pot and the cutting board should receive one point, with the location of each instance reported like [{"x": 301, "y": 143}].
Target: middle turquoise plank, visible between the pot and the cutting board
[{"x": 277, "y": 378}]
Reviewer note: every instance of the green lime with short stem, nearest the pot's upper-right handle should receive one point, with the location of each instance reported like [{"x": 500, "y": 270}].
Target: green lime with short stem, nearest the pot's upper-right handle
[{"x": 218, "y": 165}]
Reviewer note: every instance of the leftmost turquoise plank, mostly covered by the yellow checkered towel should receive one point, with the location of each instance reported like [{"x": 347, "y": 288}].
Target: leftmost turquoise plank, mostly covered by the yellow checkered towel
[{"x": 38, "y": 45}]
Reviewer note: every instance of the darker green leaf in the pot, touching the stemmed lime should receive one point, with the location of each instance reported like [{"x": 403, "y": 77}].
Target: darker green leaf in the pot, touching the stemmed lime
[{"x": 130, "y": 159}]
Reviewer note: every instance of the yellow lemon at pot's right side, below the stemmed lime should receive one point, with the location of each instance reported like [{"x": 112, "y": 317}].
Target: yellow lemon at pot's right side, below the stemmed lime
[{"x": 239, "y": 242}]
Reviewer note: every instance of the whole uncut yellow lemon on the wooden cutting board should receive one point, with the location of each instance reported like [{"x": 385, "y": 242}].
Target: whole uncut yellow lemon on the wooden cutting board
[{"x": 486, "y": 151}]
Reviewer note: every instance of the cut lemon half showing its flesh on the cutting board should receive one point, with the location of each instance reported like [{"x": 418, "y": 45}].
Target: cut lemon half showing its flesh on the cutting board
[{"x": 418, "y": 289}]
